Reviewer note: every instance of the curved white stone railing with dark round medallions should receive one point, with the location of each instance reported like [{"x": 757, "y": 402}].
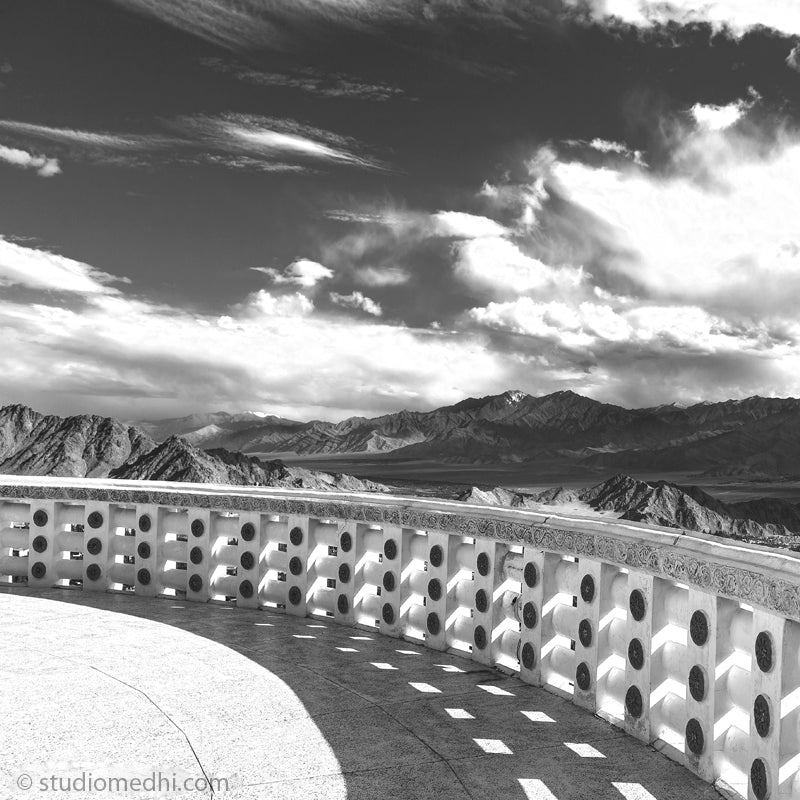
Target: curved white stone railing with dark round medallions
[{"x": 685, "y": 641}]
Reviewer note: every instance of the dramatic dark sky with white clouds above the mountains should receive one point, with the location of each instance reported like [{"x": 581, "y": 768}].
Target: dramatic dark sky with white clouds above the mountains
[{"x": 320, "y": 208}]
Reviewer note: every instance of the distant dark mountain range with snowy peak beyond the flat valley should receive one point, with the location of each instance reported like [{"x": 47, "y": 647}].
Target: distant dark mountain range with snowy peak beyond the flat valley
[{"x": 564, "y": 430}]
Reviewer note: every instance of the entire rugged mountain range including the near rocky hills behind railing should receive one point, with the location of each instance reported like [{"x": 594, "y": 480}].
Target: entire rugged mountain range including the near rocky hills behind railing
[{"x": 757, "y": 433}]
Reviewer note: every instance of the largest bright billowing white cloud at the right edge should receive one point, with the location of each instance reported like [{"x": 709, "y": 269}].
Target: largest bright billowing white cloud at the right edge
[{"x": 722, "y": 226}]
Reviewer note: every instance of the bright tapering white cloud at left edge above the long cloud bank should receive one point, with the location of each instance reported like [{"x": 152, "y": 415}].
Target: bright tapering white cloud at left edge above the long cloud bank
[{"x": 41, "y": 269}]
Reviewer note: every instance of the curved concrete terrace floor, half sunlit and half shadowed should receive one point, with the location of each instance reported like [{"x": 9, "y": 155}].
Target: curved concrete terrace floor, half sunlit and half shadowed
[{"x": 287, "y": 708}]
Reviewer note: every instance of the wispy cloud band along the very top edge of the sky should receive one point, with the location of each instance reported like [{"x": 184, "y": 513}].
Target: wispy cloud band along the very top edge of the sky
[{"x": 282, "y": 24}]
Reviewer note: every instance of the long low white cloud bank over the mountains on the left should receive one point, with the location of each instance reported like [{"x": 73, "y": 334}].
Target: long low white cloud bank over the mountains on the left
[{"x": 127, "y": 355}]
